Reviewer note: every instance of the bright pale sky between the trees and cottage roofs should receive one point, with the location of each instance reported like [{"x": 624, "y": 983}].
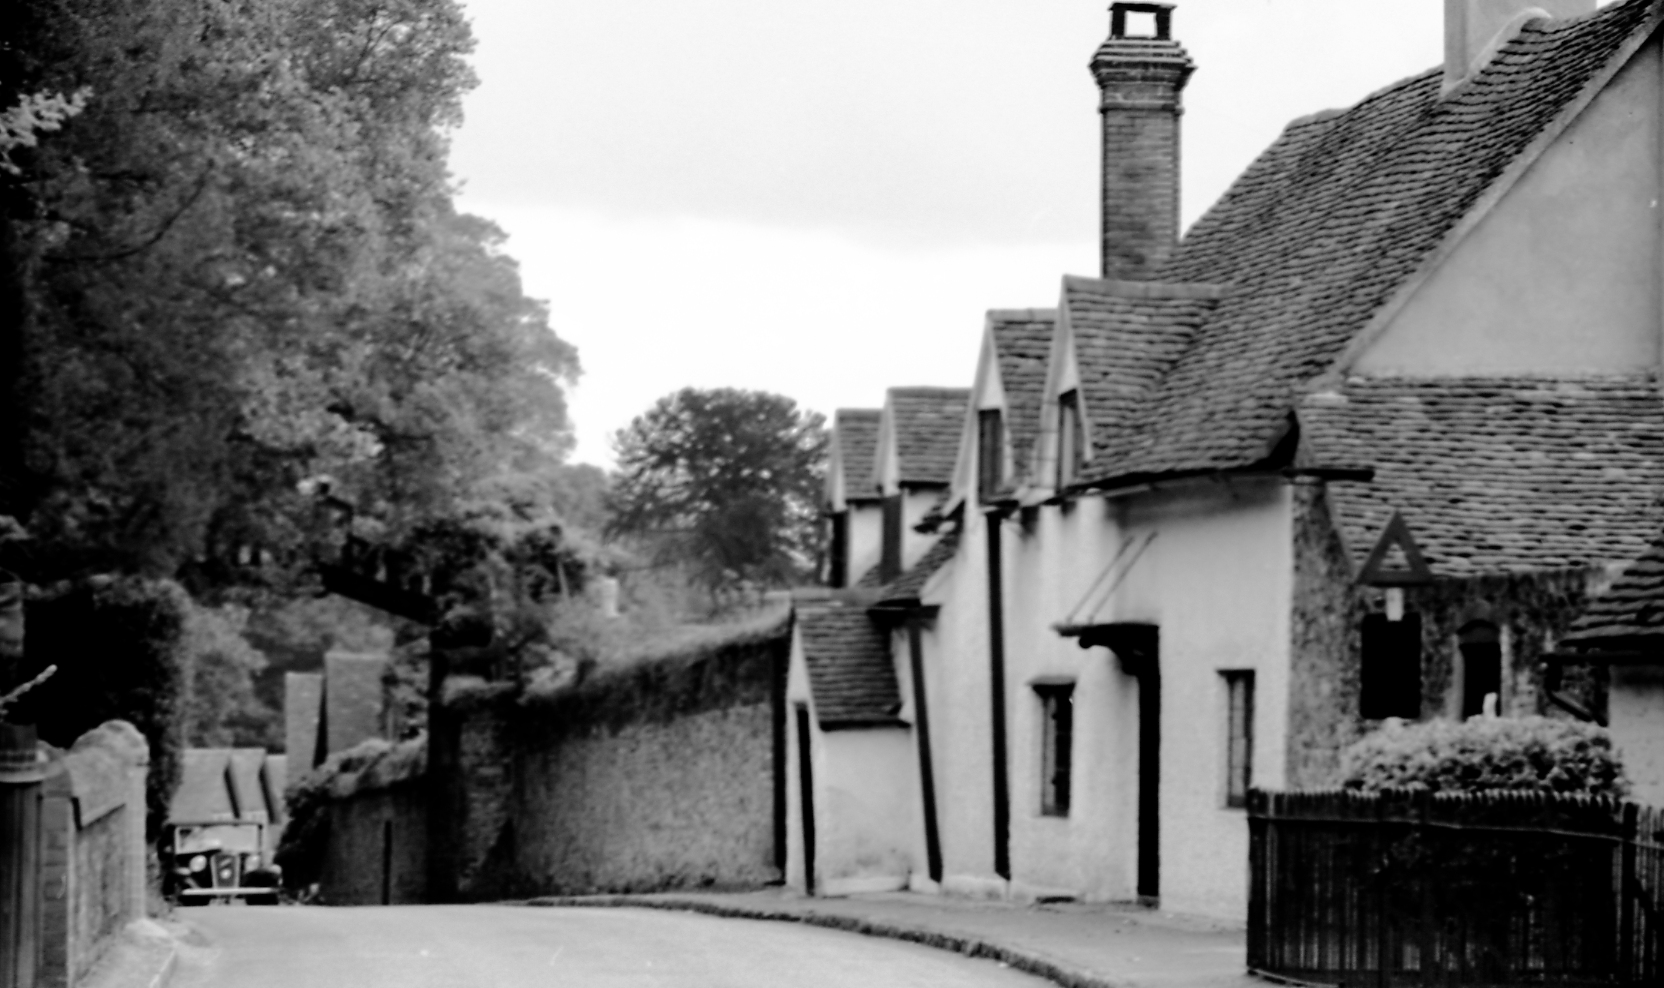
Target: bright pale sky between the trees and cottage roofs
[{"x": 823, "y": 200}]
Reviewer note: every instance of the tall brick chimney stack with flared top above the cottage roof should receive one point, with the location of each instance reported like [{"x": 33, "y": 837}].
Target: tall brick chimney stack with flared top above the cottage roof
[{"x": 1141, "y": 77}]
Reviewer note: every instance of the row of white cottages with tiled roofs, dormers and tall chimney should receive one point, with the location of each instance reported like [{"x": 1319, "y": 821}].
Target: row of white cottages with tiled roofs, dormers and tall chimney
[{"x": 1362, "y": 445}]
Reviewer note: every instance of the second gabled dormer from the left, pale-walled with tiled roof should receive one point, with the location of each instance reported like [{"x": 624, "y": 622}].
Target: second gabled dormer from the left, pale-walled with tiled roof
[{"x": 919, "y": 438}]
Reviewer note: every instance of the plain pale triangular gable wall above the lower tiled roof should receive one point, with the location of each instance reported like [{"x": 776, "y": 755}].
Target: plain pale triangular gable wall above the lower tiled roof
[{"x": 1563, "y": 274}]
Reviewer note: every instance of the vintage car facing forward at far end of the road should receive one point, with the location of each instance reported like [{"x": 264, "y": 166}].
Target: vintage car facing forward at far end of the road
[{"x": 215, "y": 861}]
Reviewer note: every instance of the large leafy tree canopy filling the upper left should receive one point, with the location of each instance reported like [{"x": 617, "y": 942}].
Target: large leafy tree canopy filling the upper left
[{"x": 237, "y": 267}]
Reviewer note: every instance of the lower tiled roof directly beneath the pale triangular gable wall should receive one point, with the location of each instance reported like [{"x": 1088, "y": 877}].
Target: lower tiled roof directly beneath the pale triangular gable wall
[{"x": 1497, "y": 475}]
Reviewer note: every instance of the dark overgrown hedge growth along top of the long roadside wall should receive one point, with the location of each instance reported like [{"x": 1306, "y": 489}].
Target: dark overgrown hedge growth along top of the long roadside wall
[{"x": 731, "y": 668}]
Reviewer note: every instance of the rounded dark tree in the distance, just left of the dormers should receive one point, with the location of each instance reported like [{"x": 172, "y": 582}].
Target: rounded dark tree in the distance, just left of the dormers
[{"x": 726, "y": 483}]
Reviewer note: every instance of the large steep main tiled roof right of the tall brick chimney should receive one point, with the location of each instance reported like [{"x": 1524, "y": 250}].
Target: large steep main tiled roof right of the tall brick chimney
[{"x": 1330, "y": 222}]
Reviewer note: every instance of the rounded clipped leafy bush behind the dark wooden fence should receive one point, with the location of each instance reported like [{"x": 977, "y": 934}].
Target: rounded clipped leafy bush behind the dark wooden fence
[{"x": 1532, "y": 754}]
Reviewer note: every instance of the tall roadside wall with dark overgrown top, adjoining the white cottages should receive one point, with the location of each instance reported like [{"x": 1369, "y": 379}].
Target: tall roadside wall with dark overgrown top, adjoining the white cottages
[{"x": 665, "y": 774}]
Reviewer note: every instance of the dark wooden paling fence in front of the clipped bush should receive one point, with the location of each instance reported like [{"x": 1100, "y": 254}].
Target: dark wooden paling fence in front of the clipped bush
[{"x": 1417, "y": 889}]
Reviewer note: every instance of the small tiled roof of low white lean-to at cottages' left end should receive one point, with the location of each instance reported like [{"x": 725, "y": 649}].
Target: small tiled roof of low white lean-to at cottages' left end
[{"x": 851, "y": 676}]
